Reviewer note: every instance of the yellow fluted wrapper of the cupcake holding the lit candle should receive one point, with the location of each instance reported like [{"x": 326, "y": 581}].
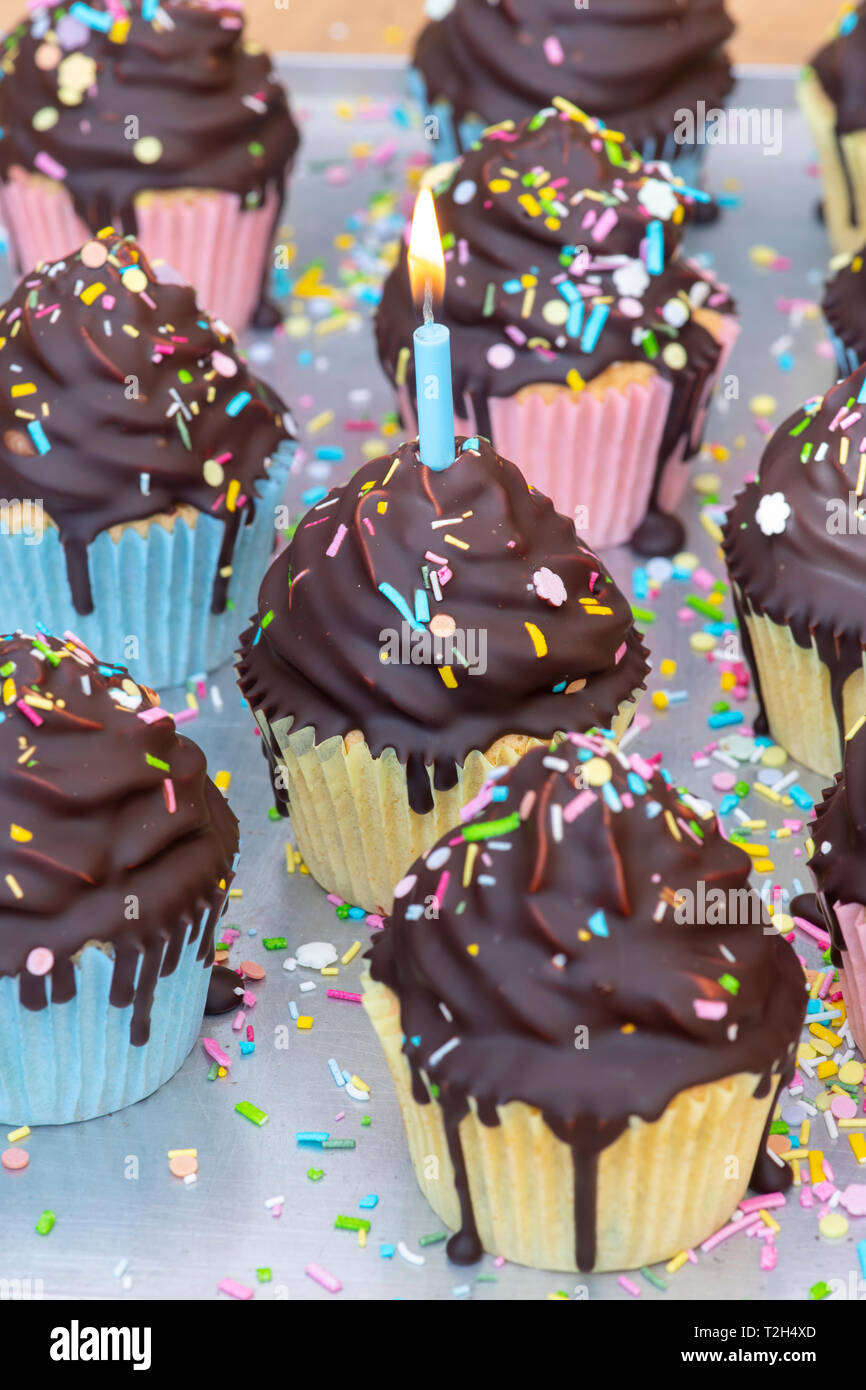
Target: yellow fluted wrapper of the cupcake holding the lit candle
[{"x": 351, "y": 814}]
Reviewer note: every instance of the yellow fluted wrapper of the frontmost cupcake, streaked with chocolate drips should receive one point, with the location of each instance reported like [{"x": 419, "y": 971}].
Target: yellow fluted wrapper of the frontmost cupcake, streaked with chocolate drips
[{"x": 662, "y": 1188}]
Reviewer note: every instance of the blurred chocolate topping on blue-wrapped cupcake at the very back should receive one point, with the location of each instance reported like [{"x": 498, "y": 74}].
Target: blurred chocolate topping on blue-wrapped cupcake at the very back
[{"x": 633, "y": 63}]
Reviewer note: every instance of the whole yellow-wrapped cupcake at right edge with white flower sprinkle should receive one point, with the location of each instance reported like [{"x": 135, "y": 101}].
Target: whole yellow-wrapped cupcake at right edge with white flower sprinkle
[{"x": 794, "y": 551}]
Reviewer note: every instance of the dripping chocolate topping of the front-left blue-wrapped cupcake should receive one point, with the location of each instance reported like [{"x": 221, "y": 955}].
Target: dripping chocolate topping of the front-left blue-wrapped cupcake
[{"x": 113, "y": 832}]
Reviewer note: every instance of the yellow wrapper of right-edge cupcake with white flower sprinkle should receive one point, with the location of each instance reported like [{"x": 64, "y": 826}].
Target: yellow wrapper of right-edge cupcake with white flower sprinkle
[{"x": 797, "y": 697}]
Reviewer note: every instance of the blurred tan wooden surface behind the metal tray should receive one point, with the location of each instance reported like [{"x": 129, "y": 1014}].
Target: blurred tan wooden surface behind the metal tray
[{"x": 771, "y": 31}]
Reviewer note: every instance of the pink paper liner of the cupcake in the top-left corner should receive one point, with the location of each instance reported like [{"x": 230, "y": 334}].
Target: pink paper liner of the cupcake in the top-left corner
[{"x": 209, "y": 240}]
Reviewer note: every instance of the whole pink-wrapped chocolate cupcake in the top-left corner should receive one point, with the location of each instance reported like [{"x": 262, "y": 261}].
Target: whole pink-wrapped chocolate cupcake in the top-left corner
[{"x": 158, "y": 119}]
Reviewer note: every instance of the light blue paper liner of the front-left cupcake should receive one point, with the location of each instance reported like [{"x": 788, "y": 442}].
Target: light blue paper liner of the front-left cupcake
[{"x": 74, "y": 1061}]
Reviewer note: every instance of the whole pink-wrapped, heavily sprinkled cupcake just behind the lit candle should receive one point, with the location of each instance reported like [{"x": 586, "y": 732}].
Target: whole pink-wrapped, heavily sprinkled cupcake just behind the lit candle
[{"x": 585, "y": 347}]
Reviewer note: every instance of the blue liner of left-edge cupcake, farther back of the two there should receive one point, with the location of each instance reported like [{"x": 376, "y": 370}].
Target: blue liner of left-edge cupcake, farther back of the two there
[{"x": 152, "y": 589}]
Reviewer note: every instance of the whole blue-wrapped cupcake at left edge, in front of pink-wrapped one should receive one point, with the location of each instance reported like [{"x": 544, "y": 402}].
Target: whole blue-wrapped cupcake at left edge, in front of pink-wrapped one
[{"x": 141, "y": 465}]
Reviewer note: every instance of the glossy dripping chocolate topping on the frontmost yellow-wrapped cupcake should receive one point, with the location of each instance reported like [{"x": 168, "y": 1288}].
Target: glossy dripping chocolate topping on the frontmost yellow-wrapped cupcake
[{"x": 596, "y": 951}]
